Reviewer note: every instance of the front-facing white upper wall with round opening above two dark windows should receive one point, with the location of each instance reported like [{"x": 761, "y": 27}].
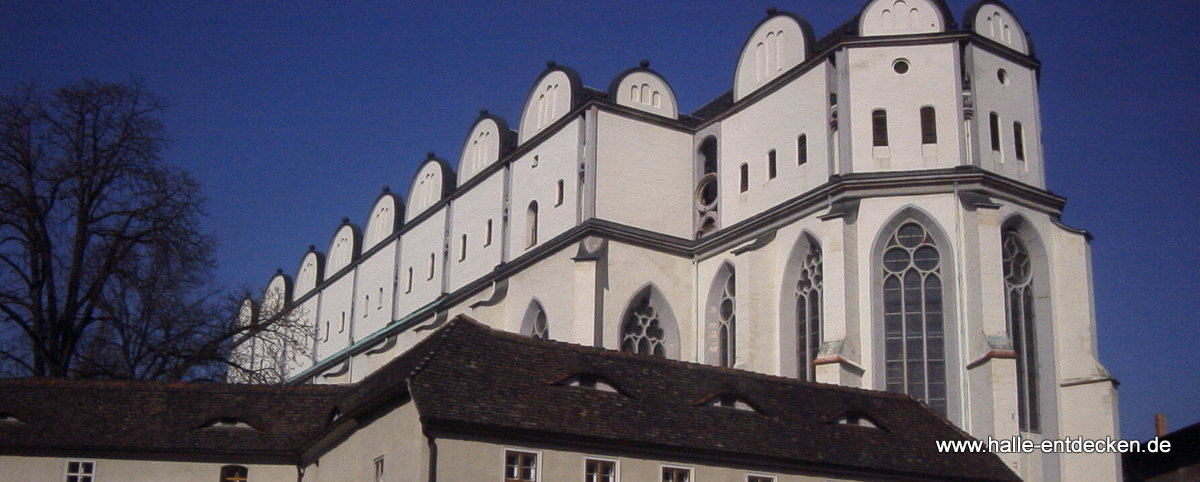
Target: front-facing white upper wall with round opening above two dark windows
[{"x": 874, "y": 85}]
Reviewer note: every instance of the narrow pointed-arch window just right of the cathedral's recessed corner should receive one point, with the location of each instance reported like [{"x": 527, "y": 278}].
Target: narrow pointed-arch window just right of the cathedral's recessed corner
[{"x": 721, "y": 318}]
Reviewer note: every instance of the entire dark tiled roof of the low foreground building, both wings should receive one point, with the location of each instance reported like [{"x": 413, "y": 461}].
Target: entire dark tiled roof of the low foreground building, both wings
[{"x": 469, "y": 378}]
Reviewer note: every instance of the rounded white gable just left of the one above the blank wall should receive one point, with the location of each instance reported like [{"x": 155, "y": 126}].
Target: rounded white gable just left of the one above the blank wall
[{"x": 555, "y": 94}]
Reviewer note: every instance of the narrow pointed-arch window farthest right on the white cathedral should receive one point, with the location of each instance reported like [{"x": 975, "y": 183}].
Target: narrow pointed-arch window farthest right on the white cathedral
[{"x": 1028, "y": 314}]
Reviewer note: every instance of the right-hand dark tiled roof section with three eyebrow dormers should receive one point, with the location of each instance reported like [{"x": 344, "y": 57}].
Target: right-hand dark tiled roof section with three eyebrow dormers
[{"x": 506, "y": 383}]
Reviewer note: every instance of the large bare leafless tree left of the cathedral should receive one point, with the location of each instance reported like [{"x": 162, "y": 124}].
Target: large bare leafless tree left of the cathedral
[{"x": 104, "y": 268}]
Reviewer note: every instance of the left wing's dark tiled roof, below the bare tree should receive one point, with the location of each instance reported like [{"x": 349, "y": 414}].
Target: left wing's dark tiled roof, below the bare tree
[{"x": 143, "y": 418}]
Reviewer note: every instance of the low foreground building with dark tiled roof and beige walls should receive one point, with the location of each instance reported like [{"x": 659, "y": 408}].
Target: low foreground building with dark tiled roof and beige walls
[{"x": 458, "y": 408}]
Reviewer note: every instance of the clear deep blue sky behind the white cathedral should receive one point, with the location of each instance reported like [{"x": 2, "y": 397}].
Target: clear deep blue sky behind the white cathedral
[{"x": 295, "y": 115}]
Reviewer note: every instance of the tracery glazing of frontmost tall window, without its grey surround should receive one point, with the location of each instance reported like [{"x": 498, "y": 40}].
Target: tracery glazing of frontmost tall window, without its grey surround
[{"x": 914, "y": 329}]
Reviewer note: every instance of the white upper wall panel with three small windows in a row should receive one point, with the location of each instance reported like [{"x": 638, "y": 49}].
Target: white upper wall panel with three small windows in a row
[{"x": 775, "y": 123}]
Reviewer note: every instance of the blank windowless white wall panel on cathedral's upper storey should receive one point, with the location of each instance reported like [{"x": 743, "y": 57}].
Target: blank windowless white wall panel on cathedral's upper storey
[{"x": 640, "y": 166}]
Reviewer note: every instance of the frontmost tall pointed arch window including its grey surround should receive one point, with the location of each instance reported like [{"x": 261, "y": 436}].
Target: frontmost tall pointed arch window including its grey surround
[{"x": 916, "y": 335}]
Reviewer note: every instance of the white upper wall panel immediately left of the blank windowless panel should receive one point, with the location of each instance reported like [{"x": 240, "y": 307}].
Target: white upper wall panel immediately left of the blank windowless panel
[{"x": 536, "y": 177}]
